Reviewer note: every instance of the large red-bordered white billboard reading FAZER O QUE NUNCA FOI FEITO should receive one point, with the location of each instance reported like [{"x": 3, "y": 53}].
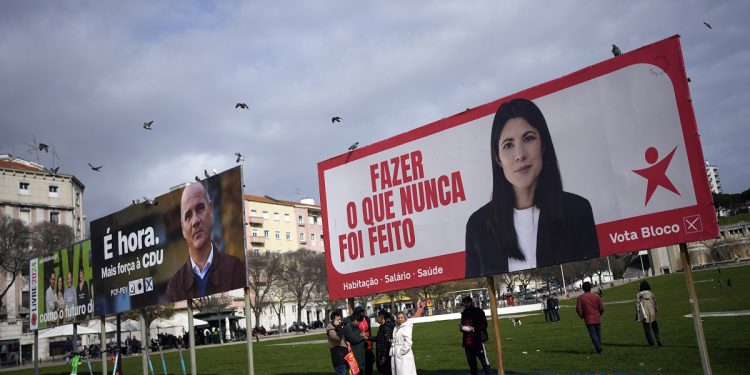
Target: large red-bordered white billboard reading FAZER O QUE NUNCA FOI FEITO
[{"x": 423, "y": 207}]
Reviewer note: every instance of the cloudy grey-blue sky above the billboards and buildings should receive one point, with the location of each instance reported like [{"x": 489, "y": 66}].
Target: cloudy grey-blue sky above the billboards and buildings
[{"x": 83, "y": 76}]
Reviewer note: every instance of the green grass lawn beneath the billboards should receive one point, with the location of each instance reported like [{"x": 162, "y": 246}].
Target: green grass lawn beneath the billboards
[{"x": 536, "y": 347}]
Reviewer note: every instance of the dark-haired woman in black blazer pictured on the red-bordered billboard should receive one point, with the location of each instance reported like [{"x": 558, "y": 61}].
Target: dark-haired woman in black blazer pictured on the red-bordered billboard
[{"x": 530, "y": 221}]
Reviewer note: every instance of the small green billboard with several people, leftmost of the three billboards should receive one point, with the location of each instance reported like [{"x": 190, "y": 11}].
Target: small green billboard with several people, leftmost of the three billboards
[{"x": 60, "y": 289}]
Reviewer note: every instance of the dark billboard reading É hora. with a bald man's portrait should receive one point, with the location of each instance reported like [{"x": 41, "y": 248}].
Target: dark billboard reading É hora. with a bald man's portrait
[{"x": 185, "y": 244}]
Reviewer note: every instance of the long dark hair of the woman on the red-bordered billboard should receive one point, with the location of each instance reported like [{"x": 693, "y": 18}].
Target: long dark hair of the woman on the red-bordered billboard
[{"x": 548, "y": 194}]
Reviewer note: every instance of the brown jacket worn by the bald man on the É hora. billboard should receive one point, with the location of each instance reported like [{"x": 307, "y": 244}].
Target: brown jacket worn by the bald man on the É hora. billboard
[{"x": 226, "y": 273}]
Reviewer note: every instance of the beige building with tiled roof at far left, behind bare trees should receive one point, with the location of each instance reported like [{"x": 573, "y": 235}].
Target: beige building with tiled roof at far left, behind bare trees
[{"x": 33, "y": 194}]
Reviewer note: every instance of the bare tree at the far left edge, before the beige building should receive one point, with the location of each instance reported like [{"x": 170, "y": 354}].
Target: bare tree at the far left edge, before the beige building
[{"x": 14, "y": 250}]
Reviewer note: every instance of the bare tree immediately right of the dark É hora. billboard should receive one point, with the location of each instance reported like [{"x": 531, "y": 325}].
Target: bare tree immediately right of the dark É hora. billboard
[{"x": 262, "y": 271}]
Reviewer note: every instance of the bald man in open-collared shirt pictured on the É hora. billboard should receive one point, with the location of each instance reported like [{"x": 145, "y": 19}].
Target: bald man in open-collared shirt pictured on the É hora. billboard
[{"x": 207, "y": 271}]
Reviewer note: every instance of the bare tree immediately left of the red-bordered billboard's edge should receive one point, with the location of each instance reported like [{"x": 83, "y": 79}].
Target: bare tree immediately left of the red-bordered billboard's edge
[{"x": 302, "y": 272}]
